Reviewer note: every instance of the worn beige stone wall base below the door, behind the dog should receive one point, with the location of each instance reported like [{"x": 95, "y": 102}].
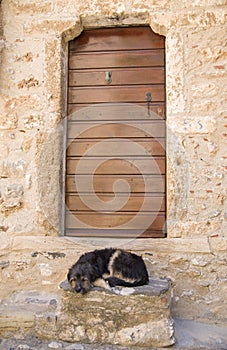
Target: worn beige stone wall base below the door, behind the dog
[{"x": 196, "y": 267}]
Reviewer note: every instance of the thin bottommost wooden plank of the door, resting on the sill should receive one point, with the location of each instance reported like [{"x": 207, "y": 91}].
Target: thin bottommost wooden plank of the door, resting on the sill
[{"x": 115, "y": 233}]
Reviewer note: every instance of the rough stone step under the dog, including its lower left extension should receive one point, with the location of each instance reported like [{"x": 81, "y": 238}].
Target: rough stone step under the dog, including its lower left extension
[{"x": 130, "y": 317}]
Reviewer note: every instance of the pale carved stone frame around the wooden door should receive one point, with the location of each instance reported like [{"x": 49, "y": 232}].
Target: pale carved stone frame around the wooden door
[{"x": 57, "y": 89}]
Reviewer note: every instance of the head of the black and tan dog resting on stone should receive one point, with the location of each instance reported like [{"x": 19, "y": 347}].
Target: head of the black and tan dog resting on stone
[{"x": 80, "y": 277}]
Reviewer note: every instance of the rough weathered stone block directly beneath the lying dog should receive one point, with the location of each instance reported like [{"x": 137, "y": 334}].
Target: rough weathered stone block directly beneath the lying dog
[{"x": 122, "y": 316}]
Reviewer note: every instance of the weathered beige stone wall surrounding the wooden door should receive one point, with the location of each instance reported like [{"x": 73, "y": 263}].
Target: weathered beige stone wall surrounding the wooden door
[{"x": 33, "y": 44}]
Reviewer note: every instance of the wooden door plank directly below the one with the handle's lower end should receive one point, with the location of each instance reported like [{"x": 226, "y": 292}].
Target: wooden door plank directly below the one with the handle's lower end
[{"x": 135, "y": 129}]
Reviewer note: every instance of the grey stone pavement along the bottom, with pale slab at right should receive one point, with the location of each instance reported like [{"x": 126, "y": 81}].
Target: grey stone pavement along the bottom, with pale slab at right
[{"x": 190, "y": 335}]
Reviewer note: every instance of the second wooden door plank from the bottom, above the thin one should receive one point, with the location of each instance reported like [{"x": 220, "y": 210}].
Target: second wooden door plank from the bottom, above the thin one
[{"x": 126, "y": 220}]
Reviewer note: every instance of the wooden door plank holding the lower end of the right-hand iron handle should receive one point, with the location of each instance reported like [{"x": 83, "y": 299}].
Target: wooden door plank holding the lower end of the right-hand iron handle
[{"x": 116, "y": 111}]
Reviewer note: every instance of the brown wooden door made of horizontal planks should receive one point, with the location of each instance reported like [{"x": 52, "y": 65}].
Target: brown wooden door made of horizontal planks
[{"x": 116, "y": 132}]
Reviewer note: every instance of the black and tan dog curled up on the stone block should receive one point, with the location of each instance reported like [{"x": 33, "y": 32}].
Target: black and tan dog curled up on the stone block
[{"x": 107, "y": 268}]
